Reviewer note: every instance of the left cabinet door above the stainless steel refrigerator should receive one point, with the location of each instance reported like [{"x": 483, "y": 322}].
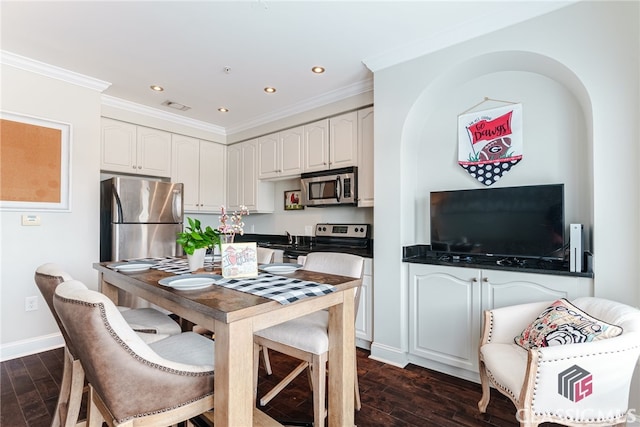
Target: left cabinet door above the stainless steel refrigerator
[{"x": 118, "y": 146}]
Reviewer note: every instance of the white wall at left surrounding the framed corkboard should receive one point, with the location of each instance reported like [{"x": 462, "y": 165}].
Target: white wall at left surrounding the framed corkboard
[{"x": 68, "y": 238}]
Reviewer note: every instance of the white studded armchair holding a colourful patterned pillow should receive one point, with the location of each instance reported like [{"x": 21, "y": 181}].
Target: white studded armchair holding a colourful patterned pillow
[{"x": 578, "y": 363}]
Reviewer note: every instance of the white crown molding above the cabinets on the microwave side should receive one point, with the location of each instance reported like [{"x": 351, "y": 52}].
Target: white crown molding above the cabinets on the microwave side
[{"x": 309, "y": 104}]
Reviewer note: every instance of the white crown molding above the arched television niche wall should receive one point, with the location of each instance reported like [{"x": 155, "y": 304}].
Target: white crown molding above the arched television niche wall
[{"x": 483, "y": 24}]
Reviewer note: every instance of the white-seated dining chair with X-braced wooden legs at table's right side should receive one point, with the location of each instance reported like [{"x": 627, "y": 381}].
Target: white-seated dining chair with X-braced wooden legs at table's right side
[{"x": 307, "y": 338}]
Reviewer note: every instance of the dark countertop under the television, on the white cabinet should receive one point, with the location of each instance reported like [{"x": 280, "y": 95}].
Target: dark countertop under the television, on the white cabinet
[{"x": 422, "y": 254}]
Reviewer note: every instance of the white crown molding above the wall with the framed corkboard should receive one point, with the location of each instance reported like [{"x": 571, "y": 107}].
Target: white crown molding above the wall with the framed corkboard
[{"x": 28, "y": 64}]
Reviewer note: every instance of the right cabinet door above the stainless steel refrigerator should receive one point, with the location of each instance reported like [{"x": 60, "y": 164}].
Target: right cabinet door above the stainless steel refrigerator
[{"x": 154, "y": 152}]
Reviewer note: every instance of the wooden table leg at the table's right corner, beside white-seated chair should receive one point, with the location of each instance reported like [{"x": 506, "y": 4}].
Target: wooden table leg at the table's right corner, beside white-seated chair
[{"x": 341, "y": 357}]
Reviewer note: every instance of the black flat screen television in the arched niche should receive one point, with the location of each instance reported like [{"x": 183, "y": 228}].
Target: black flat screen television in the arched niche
[{"x": 525, "y": 221}]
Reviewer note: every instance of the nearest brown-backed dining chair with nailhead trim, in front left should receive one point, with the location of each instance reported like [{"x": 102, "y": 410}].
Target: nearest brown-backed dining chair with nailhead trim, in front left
[{"x": 132, "y": 382}]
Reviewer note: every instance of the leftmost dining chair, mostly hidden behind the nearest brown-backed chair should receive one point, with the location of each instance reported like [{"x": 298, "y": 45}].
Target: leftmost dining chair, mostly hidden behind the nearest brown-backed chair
[{"x": 151, "y": 325}]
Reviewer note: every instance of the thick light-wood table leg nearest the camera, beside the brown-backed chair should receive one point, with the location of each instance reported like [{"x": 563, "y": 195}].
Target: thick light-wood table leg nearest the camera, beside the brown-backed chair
[{"x": 233, "y": 384}]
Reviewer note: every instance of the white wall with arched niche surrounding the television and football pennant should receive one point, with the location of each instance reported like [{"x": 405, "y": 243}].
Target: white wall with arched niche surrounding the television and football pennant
[{"x": 577, "y": 67}]
